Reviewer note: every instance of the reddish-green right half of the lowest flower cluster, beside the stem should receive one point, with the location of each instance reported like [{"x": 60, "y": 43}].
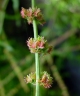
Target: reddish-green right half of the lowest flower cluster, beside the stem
[{"x": 46, "y": 80}]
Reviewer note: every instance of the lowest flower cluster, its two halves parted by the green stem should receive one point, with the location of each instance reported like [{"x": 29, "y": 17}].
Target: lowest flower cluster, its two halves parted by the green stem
[{"x": 45, "y": 80}]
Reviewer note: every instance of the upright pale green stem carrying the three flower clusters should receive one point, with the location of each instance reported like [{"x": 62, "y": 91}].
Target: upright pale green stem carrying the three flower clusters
[{"x": 36, "y": 54}]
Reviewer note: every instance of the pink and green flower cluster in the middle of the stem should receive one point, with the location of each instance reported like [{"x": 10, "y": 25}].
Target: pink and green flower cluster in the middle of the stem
[{"x": 36, "y": 45}]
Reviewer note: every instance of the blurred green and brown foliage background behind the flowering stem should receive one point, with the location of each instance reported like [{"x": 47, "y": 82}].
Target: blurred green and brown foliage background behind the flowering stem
[{"x": 62, "y": 30}]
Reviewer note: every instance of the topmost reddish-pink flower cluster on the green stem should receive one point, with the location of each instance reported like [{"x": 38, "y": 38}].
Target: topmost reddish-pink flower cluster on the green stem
[{"x": 31, "y": 14}]
